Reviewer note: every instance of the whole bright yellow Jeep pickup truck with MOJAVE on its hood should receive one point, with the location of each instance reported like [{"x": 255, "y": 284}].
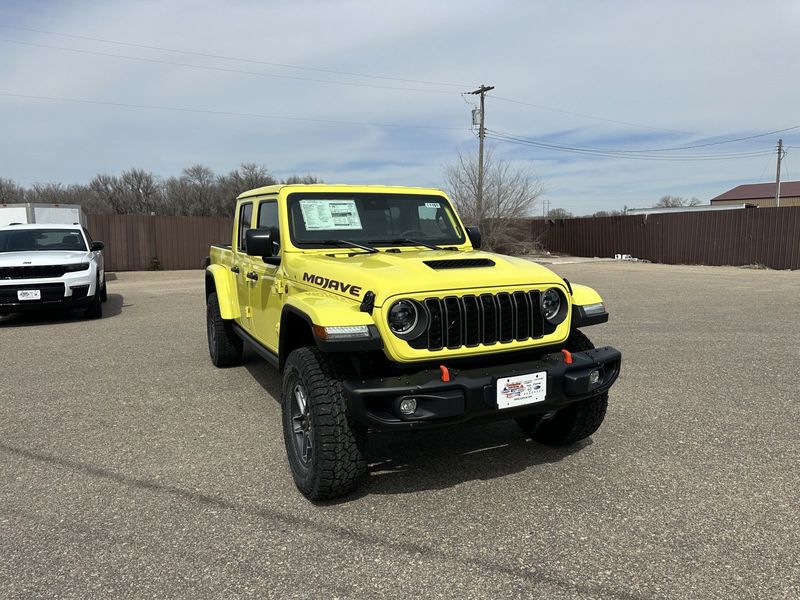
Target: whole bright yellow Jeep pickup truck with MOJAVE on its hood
[{"x": 382, "y": 313}]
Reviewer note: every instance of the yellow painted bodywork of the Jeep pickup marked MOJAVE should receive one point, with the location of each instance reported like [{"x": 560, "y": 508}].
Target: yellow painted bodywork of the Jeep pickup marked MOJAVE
[{"x": 329, "y": 284}]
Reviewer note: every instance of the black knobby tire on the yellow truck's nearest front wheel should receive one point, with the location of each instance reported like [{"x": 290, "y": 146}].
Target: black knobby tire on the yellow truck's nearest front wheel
[{"x": 336, "y": 464}]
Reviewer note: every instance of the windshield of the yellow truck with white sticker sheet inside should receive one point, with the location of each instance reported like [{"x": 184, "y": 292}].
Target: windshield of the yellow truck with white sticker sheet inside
[{"x": 374, "y": 219}]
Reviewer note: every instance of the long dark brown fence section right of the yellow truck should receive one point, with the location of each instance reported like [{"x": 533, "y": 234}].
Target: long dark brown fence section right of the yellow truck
[{"x": 753, "y": 236}]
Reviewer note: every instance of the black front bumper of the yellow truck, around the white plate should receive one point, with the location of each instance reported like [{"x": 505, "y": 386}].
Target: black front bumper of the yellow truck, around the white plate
[{"x": 471, "y": 393}]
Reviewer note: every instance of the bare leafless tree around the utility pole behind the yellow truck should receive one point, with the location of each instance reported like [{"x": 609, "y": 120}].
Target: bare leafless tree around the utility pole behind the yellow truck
[{"x": 509, "y": 195}]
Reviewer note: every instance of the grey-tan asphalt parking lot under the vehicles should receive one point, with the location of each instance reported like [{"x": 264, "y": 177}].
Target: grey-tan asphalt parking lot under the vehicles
[{"x": 130, "y": 467}]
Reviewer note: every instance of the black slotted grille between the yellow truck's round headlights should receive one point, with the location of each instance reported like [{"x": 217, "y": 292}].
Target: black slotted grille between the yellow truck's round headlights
[{"x": 486, "y": 319}]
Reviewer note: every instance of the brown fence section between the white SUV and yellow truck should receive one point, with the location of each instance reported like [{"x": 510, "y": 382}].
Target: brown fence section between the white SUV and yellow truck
[{"x": 136, "y": 242}]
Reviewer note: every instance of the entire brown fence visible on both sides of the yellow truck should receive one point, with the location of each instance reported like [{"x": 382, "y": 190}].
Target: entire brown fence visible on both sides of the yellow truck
[{"x": 763, "y": 236}]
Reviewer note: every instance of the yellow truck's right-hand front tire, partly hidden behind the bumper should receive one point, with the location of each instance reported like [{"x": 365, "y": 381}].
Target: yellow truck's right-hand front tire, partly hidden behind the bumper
[{"x": 574, "y": 422}]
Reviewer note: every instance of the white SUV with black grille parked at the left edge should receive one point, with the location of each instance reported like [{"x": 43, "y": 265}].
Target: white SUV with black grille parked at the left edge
[{"x": 51, "y": 267}]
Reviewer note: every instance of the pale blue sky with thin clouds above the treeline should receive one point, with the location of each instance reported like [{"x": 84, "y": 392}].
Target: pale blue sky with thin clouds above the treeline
[{"x": 650, "y": 75}]
